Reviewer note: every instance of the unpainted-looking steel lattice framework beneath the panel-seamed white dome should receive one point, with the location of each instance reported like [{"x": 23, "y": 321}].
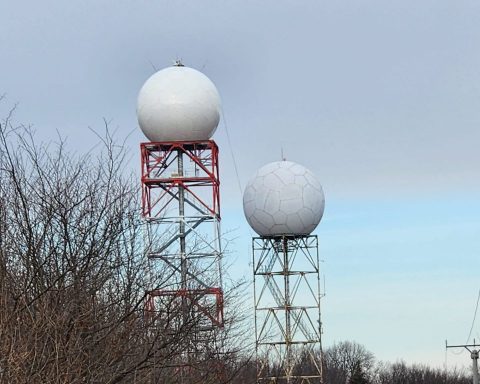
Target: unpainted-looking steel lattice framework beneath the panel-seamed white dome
[{"x": 287, "y": 309}]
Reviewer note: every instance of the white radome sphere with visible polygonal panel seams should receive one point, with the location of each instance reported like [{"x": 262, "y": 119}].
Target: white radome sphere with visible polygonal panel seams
[{"x": 283, "y": 198}]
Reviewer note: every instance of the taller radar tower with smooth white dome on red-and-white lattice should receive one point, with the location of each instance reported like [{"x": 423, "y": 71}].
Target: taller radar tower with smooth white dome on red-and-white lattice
[{"x": 178, "y": 111}]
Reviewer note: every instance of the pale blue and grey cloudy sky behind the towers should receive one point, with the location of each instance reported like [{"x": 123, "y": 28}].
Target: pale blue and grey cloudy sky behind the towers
[{"x": 379, "y": 99}]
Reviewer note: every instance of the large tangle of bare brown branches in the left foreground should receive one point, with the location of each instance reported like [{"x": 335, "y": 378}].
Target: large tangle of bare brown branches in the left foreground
[{"x": 72, "y": 274}]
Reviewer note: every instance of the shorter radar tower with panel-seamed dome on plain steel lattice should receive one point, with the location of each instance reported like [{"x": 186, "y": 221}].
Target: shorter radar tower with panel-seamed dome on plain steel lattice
[{"x": 283, "y": 203}]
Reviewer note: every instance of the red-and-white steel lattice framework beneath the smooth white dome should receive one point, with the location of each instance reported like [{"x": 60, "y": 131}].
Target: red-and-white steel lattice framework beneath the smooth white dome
[{"x": 181, "y": 205}]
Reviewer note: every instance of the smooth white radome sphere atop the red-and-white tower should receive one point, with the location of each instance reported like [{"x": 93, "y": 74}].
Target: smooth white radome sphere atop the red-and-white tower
[{"x": 178, "y": 104}]
